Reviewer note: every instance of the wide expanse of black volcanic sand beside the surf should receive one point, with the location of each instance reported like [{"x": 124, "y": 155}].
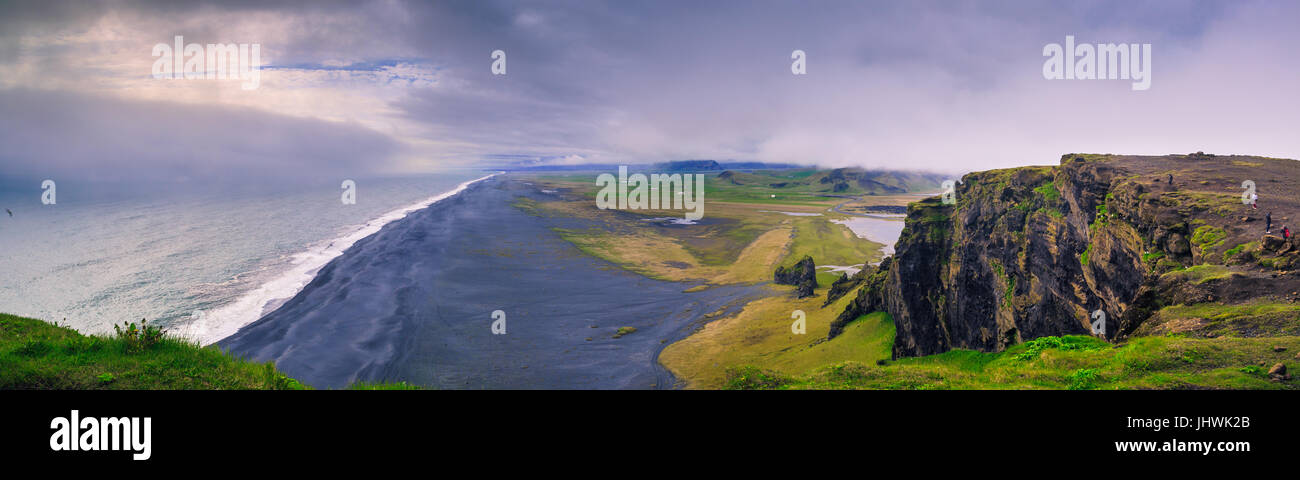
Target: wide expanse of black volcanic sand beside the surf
[{"x": 414, "y": 304}]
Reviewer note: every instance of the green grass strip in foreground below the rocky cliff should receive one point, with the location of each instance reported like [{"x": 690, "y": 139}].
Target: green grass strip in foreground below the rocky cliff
[{"x": 1069, "y": 362}]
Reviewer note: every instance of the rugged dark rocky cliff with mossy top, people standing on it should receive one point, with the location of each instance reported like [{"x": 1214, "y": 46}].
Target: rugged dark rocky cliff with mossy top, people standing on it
[{"x": 1034, "y": 252}]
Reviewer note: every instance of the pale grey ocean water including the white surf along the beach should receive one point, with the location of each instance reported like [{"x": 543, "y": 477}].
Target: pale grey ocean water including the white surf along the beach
[{"x": 201, "y": 265}]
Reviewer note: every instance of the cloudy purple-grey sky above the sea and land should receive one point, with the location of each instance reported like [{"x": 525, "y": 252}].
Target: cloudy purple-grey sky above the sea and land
[{"x": 389, "y": 88}]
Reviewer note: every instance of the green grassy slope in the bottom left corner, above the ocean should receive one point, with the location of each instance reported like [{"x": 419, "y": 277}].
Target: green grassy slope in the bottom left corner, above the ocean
[{"x": 36, "y": 354}]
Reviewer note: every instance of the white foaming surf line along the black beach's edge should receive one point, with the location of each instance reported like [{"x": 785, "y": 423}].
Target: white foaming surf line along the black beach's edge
[{"x": 224, "y": 322}]
